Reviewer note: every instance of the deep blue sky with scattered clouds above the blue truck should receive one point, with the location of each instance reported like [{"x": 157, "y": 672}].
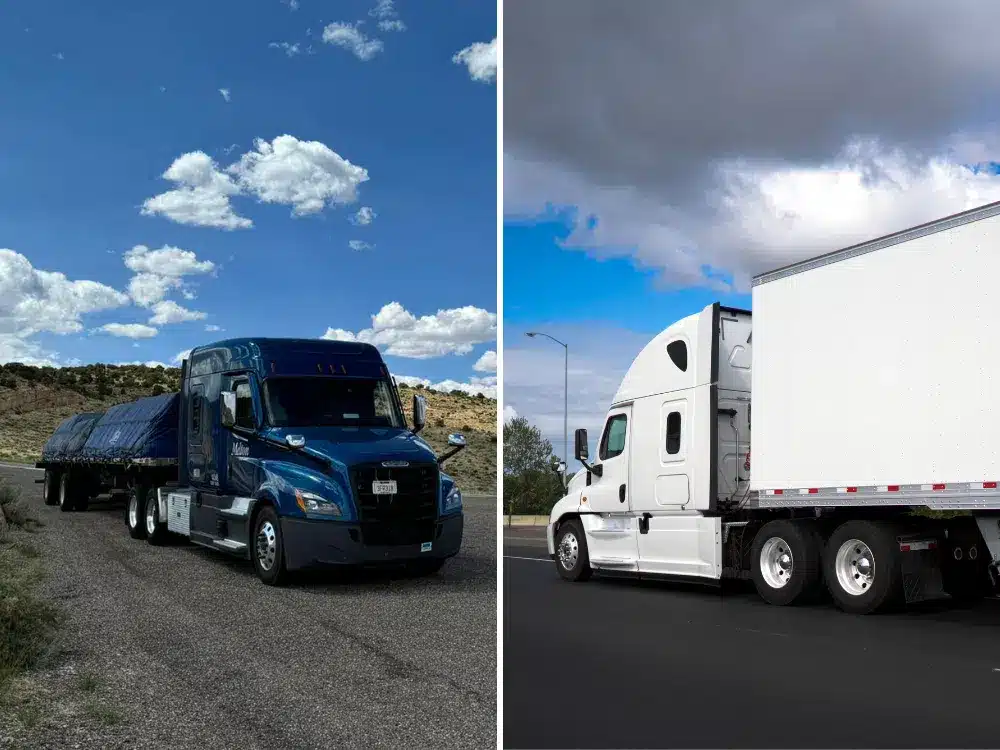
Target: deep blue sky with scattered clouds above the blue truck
[{"x": 100, "y": 102}]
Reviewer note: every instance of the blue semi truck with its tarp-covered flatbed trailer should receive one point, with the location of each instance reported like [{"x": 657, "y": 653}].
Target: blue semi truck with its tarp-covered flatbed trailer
[{"x": 292, "y": 453}]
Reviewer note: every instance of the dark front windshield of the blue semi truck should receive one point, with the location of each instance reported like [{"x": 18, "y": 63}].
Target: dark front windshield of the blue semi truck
[{"x": 320, "y": 401}]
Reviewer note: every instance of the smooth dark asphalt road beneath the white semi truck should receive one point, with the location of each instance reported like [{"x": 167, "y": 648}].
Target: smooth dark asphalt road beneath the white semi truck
[{"x": 609, "y": 663}]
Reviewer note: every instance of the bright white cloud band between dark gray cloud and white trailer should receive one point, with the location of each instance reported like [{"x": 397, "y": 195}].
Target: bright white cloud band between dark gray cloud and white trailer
[{"x": 762, "y": 215}]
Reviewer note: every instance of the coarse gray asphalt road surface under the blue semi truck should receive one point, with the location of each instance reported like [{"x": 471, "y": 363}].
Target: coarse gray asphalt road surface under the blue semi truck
[{"x": 196, "y": 652}]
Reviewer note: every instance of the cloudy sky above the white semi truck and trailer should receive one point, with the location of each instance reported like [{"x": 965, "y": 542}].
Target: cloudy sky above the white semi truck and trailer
[{"x": 646, "y": 177}]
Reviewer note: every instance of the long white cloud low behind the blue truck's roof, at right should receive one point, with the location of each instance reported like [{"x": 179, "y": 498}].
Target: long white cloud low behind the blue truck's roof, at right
[{"x": 398, "y": 332}]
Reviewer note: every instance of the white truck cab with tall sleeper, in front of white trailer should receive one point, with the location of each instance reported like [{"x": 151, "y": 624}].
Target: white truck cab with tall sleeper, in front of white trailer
[{"x": 674, "y": 450}]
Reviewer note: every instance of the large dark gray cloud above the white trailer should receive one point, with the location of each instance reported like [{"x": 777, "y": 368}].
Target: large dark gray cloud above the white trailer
[{"x": 646, "y": 93}]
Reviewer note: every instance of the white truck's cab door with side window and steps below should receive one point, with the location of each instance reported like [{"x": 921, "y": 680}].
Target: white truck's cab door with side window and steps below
[{"x": 610, "y": 527}]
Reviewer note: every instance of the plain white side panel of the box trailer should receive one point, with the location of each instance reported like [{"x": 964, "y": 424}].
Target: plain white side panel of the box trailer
[{"x": 880, "y": 364}]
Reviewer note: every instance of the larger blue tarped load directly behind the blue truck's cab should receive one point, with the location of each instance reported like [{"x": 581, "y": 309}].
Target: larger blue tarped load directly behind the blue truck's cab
[{"x": 145, "y": 429}]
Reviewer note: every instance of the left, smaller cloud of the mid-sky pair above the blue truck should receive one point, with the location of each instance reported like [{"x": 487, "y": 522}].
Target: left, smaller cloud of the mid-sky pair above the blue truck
[{"x": 202, "y": 196}]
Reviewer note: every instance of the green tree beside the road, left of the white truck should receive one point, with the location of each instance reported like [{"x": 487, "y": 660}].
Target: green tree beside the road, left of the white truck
[{"x": 530, "y": 483}]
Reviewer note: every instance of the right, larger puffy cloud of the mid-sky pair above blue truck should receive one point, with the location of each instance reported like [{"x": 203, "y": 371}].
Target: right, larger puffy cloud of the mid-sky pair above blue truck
[{"x": 307, "y": 175}]
